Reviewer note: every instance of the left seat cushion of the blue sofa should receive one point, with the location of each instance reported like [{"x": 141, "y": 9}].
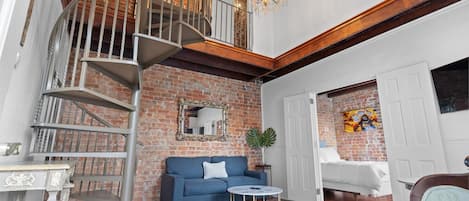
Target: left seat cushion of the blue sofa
[{"x": 204, "y": 186}]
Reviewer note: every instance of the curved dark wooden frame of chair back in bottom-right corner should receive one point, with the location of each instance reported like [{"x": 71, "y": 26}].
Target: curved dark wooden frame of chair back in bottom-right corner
[{"x": 422, "y": 185}]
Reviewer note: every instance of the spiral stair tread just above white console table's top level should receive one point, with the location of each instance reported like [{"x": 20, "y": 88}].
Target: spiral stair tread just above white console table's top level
[{"x": 82, "y": 154}]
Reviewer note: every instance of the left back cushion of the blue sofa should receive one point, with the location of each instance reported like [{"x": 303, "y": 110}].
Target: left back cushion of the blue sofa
[{"x": 187, "y": 167}]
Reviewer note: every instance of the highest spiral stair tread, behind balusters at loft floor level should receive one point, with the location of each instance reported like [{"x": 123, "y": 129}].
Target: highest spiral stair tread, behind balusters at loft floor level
[{"x": 189, "y": 33}]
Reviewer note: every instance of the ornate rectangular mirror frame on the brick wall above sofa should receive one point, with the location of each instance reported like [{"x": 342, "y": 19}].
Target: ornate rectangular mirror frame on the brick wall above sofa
[{"x": 181, "y": 136}]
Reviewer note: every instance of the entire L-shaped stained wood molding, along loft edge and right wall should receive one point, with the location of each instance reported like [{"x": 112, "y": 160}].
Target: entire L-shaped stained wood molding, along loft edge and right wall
[{"x": 383, "y": 17}]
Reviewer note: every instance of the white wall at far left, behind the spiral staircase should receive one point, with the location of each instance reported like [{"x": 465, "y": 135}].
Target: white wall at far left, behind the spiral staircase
[{"x": 21, "y": 81}]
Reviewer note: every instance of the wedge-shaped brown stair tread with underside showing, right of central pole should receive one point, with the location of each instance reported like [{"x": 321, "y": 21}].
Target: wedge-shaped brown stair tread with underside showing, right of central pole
[{"x": 152, "y": 50}]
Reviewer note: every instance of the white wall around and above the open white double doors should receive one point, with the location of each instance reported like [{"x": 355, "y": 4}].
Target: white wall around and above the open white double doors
[{"x": 436, "y": 39}]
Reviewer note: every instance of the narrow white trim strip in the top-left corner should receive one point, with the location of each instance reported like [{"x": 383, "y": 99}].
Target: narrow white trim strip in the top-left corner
[{"x": 6, "y": 12}]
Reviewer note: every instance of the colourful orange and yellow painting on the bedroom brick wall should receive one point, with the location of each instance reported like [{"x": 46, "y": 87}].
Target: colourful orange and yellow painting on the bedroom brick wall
[{"x": 360, "y": 120}]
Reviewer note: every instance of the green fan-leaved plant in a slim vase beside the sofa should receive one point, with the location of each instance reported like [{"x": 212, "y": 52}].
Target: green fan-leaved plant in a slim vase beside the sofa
[{"x": 261, "y": 140}]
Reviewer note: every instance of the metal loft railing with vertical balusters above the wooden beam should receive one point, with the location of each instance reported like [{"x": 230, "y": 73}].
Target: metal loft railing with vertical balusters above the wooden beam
[{"x": 216, "y": 19}]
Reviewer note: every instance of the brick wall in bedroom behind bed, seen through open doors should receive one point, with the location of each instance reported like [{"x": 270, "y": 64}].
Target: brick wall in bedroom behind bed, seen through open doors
[{"x": 359, "y": 146}]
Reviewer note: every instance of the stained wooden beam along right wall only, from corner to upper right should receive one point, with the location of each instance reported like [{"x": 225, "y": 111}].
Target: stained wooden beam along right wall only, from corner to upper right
[{"x": 381, "y": 18}]
